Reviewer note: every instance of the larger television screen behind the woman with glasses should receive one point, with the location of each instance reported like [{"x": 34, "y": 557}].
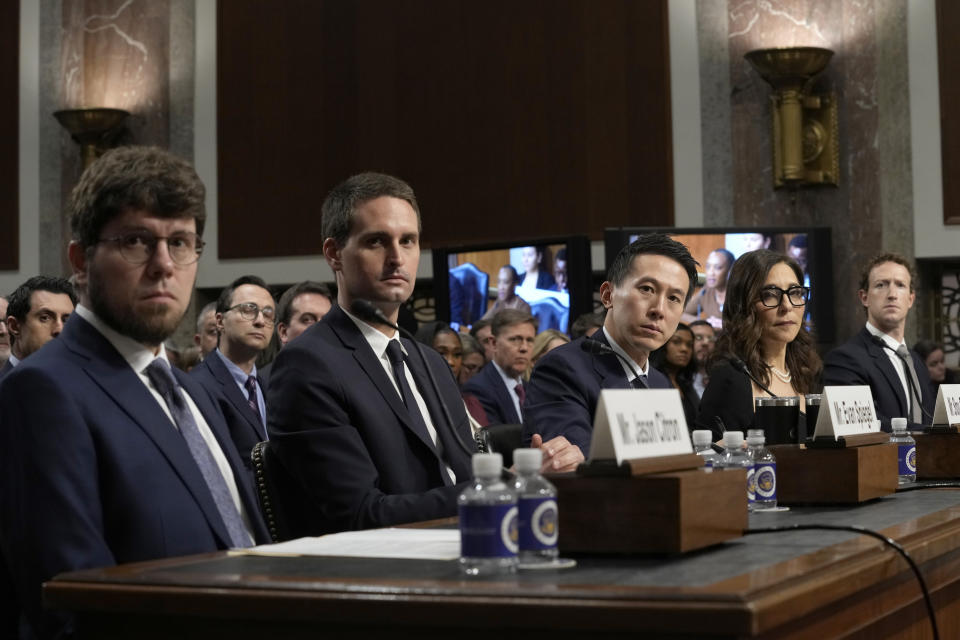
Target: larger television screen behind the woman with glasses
[{"x": 809, "y": 246}]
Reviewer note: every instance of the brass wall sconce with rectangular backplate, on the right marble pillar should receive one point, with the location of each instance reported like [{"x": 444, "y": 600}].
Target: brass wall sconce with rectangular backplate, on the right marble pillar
[{"x": 805, "y": 131}]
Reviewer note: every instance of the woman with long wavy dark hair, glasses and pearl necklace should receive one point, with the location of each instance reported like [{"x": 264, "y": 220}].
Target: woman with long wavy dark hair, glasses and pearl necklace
[{"x": 762, "y": 329}]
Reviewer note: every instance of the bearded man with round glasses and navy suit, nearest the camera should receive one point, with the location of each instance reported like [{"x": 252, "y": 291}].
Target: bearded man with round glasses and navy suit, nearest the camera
[{"x": 108, "y": 456}]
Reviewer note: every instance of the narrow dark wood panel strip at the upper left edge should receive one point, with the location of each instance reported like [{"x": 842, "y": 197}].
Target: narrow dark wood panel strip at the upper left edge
[{"x": 9, "y": 128}]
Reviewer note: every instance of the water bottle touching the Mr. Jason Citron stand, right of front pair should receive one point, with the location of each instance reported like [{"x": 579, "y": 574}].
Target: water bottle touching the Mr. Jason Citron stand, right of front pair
[{"x": 538, "y": 520}]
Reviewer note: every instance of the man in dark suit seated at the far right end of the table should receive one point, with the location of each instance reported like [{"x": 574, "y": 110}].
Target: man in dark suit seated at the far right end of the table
[{"x": 878, "y": 356}]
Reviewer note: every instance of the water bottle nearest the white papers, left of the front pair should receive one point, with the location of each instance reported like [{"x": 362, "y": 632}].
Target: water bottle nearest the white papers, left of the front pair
[{"x": 488, "y": 520}]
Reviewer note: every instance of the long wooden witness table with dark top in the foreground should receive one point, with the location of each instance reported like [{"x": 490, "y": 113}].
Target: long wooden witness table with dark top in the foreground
[{"x": 809, "y": 584}]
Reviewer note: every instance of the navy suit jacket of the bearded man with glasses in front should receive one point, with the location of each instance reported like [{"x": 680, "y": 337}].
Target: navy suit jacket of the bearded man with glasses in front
[{"x": 92, "y": 472}]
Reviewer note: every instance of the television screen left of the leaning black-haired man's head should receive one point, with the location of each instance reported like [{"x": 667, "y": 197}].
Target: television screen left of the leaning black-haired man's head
[{"x": 550, "y": 277}]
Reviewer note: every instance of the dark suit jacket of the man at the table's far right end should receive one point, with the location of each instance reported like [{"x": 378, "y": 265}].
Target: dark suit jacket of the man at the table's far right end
[{"x": 862, "y": 361}]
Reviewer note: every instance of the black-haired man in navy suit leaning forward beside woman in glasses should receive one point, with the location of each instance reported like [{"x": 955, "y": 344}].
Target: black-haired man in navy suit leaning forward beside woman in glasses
[{"x": 647, "y": 286}]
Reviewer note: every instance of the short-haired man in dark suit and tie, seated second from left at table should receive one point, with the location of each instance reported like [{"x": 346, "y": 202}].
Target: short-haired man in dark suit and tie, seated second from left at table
[{"x": 352, "y": 416}]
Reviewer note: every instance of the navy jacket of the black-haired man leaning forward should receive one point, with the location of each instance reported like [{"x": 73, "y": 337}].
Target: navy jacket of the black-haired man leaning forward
[{"x": 565, "y": 387}]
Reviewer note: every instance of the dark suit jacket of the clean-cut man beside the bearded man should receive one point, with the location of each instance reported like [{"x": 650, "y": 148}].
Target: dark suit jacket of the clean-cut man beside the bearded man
[{"x": 340, "y": 427}]
